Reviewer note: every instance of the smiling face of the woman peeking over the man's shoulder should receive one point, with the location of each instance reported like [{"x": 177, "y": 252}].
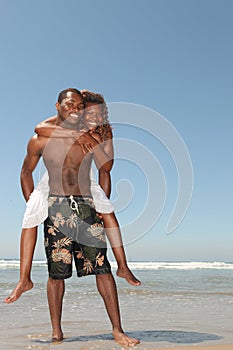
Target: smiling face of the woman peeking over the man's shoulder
[{"x": 93, "y": 115}]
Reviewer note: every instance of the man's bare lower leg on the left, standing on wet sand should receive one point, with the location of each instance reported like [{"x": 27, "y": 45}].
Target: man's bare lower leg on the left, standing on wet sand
[{"x": 55, "y": 293}]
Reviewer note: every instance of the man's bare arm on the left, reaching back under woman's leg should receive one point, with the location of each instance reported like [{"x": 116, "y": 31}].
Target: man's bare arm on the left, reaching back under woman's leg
[{"x": 34, "y": 152}]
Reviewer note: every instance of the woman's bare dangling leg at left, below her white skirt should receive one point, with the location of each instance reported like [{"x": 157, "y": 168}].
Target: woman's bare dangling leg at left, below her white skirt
[{"x": 27, "y": 247}]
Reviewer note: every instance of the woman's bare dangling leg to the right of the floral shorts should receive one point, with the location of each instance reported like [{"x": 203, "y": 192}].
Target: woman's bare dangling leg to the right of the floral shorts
[{"x": 114, "y": 236}]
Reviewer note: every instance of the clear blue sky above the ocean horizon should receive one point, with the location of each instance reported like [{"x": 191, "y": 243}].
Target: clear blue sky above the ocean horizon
[{"x": 173, "y": 57}]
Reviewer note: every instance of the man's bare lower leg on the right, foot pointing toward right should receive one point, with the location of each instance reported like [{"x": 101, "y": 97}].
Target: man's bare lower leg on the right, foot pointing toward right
[{"x": 107, "y": 289}]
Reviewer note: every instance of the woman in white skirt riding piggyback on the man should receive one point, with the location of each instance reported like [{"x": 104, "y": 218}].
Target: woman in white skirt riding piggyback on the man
[{"x": 96, "y": 120}]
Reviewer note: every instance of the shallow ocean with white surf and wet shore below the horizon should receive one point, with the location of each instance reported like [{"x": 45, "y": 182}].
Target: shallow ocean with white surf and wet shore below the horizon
[{"x": 178, "y": 303}]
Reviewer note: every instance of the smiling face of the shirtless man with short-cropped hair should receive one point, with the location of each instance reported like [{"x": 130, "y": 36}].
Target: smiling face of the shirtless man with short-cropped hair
[{"x": 70, "y": 110}]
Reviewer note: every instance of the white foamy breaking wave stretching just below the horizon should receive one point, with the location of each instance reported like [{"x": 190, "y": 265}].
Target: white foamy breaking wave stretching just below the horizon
[{"x": 9, "y": 264}]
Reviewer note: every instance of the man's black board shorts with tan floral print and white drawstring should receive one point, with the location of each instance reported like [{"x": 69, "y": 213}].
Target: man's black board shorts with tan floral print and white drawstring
[{"x": 73, "y": 230}]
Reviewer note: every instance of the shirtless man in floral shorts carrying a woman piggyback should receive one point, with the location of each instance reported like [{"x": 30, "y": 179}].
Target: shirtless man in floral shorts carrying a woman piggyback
[{"x": 71, "y": 207}]
